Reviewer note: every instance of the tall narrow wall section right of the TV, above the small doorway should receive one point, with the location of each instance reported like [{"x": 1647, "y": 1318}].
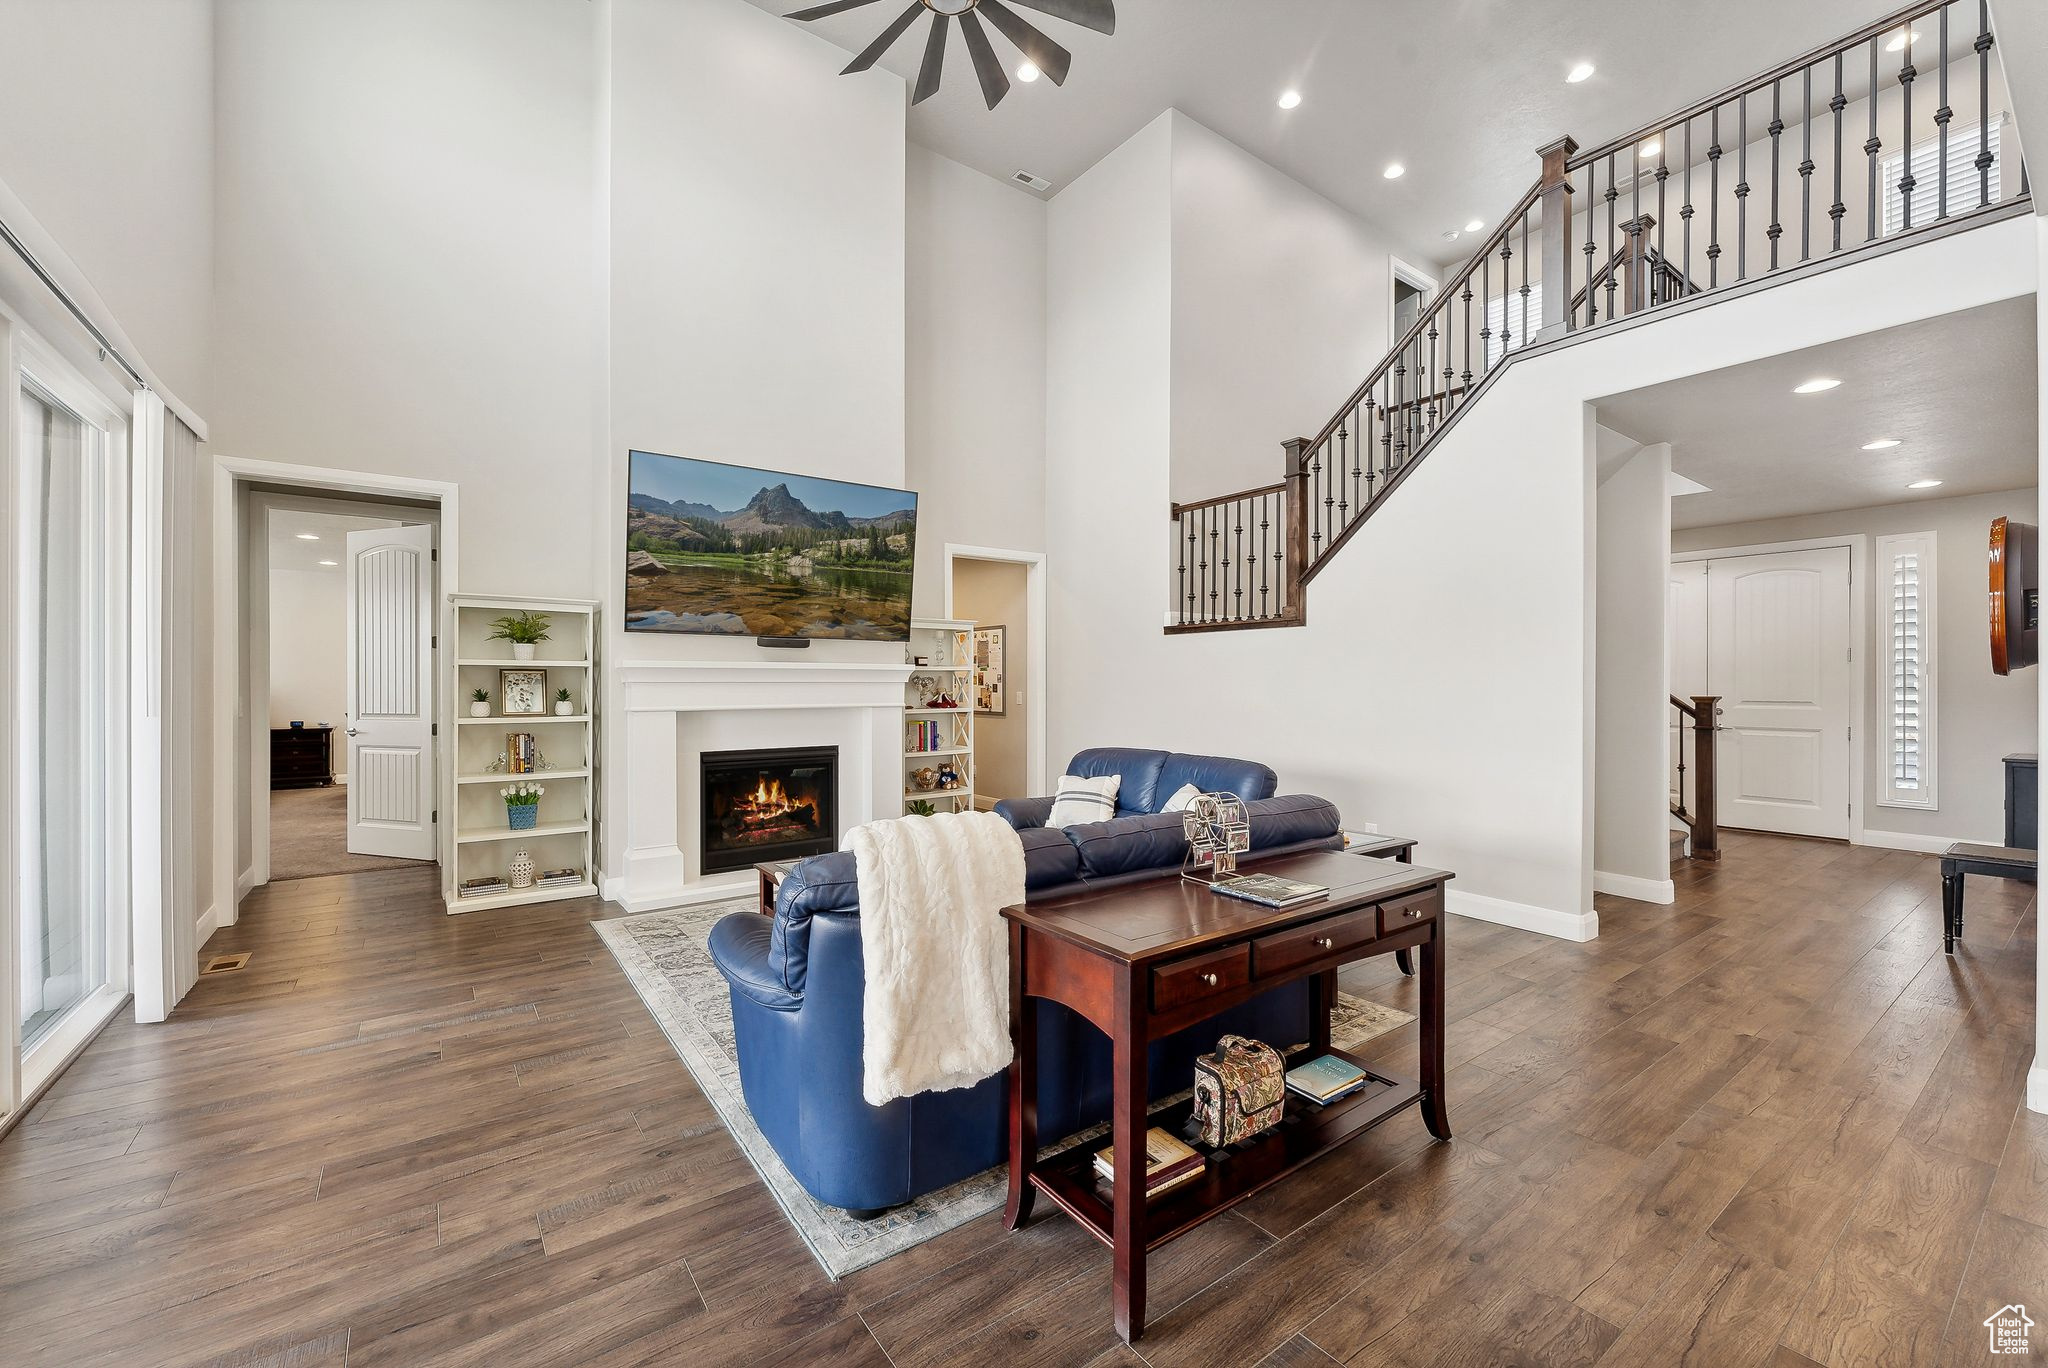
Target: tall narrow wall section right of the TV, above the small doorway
[{"x": 974, "y": 378}]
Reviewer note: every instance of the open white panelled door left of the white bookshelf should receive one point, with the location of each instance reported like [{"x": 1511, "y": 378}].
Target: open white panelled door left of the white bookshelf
[{"x": 392, "y": 693}]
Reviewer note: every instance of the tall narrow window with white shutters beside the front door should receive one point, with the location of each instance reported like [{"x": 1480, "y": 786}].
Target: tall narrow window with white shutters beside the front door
[{"x": 1906, "y": 587}]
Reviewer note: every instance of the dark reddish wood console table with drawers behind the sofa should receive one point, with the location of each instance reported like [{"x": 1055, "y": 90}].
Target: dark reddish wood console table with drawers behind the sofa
[{"x": 1148, "y": 959}]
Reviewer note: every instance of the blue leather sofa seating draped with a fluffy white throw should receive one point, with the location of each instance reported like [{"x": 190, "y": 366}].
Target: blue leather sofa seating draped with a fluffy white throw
[{"x": 798, "y": 998}]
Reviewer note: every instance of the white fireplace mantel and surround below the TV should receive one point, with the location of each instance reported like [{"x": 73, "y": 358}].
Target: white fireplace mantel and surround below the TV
[{"x": 669, "y": 703}]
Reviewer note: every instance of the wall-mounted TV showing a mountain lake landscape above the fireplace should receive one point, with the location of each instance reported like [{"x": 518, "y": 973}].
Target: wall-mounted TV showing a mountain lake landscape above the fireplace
[{"x": 736, "y": 552}]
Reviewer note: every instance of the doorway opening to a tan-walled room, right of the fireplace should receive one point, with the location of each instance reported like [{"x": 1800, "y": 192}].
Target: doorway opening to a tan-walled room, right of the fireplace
[{"x": 1002, "y": 595}]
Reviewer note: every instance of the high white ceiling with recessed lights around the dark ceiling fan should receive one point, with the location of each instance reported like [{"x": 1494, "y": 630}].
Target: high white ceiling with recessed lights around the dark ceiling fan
[{"x": 1459, "y": 91}]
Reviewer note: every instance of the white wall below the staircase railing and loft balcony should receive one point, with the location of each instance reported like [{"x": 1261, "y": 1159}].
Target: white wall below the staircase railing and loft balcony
[{"x": 1480, "y": 749}]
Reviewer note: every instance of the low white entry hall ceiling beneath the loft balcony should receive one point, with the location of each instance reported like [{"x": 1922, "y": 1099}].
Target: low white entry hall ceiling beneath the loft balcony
[{"x": 1955, "y": 390}]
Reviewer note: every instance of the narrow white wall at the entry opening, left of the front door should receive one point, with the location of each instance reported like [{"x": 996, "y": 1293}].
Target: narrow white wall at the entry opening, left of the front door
[{"x": 1631, "y": 697}]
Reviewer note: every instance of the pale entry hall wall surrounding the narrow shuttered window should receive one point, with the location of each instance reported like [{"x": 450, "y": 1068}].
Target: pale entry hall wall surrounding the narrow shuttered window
[{"x": 1979, "y": 718}]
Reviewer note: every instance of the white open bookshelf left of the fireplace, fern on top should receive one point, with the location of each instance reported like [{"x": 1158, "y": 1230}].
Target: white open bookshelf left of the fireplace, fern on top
[{"x": 480, "y": 751}]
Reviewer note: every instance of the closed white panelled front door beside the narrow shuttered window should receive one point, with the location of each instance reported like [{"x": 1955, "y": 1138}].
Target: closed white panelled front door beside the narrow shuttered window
[{"x": 1779, "y": 656}]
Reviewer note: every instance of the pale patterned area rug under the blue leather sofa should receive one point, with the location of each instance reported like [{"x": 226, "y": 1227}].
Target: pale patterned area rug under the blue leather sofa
[{"x": 669, "y": 966}]
